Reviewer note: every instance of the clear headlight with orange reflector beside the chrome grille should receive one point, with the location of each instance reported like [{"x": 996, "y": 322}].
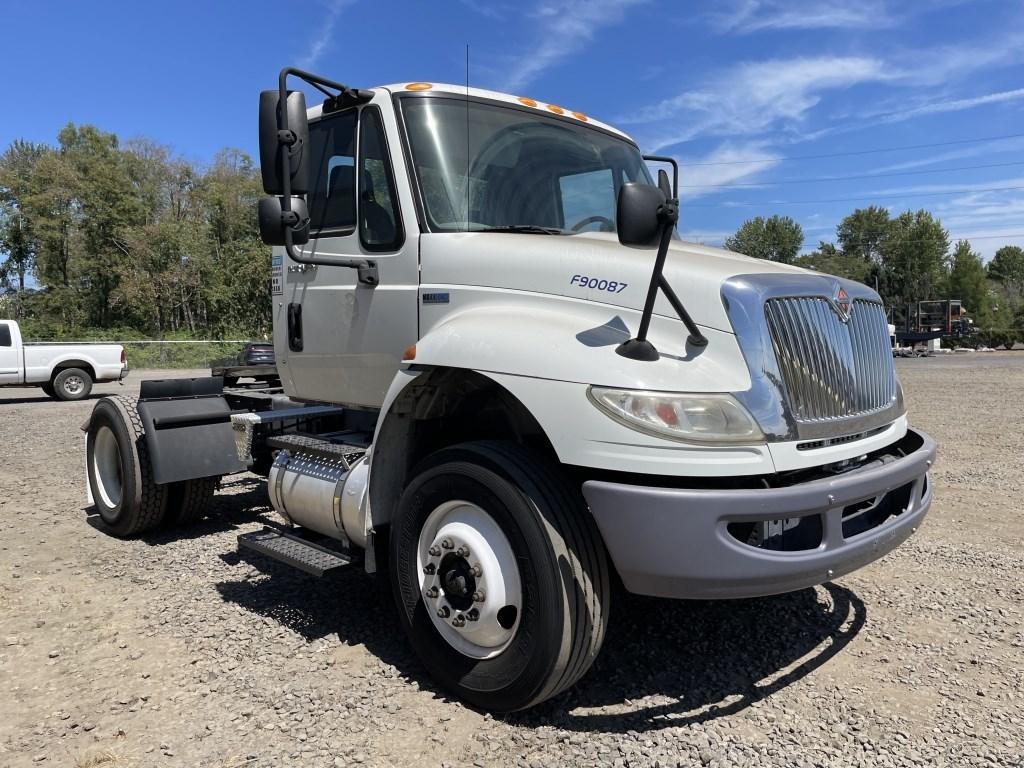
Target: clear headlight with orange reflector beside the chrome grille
[{"x": 694, "y": 418}]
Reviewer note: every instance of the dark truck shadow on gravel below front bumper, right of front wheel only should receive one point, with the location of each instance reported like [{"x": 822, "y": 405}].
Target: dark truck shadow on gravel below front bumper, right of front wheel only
[{"x": 671, "y": 664}]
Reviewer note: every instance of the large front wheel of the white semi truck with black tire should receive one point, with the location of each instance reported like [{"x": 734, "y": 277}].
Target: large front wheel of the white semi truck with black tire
[{"x": 500, "y": 575}]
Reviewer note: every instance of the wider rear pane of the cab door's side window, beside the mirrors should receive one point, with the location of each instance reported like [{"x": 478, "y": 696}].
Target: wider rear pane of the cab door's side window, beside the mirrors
[{"x": 332, "y": 193}]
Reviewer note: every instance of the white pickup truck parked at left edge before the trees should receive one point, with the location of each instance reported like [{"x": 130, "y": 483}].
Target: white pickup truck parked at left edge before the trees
[{"x": 66, "y": 372}]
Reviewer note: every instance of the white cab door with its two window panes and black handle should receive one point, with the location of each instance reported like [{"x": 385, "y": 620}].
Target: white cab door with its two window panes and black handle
[{"x": 338, "y": 340}]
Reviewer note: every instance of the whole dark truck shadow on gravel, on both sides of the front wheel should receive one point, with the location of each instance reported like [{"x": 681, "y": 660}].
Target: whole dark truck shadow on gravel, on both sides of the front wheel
[{"x": 665, "y": 663}]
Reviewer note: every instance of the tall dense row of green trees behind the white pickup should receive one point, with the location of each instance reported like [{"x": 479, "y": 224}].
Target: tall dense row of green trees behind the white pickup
[{"x": 97, "y": 234}]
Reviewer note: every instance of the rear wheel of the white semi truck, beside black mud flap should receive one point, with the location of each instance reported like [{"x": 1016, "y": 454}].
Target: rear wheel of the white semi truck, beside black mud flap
[{"x": 120, "y": 474}]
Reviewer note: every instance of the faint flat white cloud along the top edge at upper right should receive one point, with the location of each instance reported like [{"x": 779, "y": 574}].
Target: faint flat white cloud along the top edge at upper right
[{"x": 755, "y": 16}]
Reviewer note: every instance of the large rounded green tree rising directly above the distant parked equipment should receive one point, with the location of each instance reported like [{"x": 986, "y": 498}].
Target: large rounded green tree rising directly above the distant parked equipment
[{"x": 914, "y": 260}]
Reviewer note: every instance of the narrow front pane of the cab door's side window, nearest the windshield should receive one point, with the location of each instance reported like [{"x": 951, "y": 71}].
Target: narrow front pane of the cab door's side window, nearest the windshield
[{"x": 379, "y": 226}]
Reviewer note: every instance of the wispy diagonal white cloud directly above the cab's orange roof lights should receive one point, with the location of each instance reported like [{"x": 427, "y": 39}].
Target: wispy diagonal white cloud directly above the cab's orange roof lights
[{"x": 567, "y": 27}]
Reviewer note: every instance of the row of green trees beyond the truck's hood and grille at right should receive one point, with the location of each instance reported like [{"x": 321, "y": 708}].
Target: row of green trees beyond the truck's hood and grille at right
[{"x": 908, "y": 259}]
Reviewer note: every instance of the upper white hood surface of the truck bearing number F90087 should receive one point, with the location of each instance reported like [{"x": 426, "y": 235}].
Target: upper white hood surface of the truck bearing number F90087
[{"x": 591, "y": 267}]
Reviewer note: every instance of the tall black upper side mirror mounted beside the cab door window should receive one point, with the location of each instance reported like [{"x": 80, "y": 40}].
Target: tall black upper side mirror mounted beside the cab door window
[{"x": 284, "y": 152}]
